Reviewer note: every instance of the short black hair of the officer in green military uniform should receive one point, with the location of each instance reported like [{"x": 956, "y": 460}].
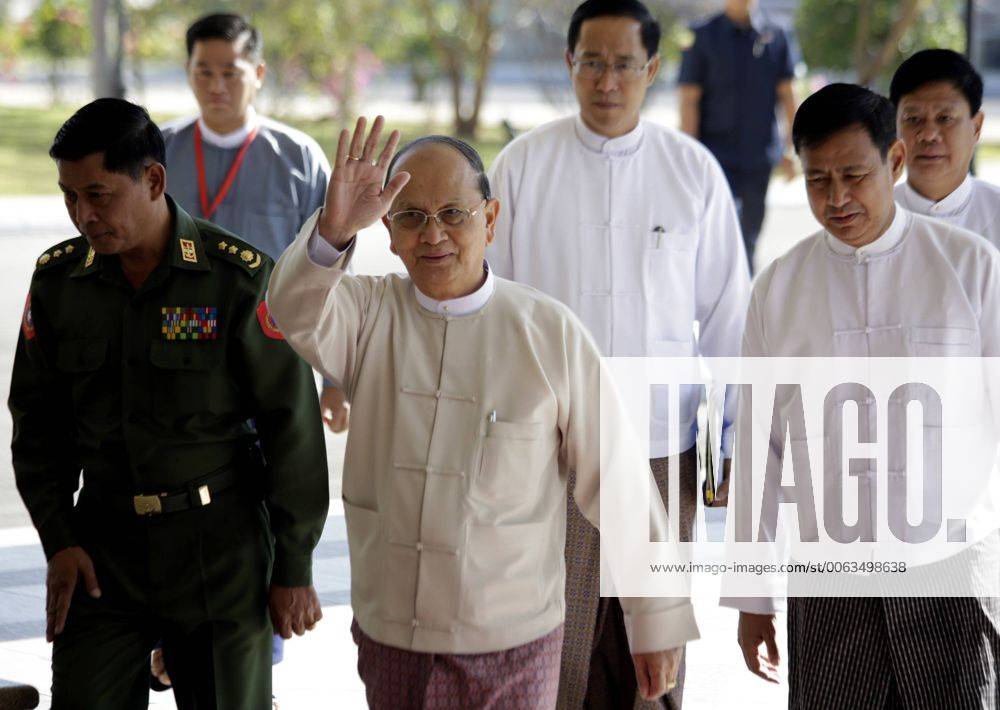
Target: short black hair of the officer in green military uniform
[{"x": 121, "y": 130}]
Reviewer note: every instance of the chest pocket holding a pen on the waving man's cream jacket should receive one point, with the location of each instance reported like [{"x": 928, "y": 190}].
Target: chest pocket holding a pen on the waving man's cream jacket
[{"x": 514, "y": 456}]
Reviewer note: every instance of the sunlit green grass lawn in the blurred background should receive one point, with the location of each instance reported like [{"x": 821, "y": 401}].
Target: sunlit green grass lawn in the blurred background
[{"x": 27, "y": 133}]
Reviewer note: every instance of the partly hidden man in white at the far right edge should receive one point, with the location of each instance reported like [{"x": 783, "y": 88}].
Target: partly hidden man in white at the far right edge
[{"x": 938, "y": 96}]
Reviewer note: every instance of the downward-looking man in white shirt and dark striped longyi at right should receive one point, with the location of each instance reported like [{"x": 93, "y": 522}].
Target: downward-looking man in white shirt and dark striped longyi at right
[{"x": 878, "y": 281}]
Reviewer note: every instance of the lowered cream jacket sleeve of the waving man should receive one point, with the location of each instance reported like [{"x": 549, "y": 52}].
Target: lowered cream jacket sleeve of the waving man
[{"x": 652, "y": 623}]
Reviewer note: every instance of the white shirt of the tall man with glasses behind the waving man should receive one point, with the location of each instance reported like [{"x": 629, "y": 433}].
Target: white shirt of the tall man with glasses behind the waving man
[{"x": 637, "y": 234}]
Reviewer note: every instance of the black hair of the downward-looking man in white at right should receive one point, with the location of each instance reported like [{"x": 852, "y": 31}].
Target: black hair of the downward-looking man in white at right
[{"x": 837, "y": 107}]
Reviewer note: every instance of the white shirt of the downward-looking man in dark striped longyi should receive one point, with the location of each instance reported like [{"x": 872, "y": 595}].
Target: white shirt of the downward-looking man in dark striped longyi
[{"x": 923, "y": 288}]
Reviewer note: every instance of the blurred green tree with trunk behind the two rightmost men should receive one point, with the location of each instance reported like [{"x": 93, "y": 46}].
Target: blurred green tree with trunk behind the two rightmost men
[{"x": 870, "y": 38}]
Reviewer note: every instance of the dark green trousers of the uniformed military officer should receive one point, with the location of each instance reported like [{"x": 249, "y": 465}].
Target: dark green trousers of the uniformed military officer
[{"x": 198, "y": 580}]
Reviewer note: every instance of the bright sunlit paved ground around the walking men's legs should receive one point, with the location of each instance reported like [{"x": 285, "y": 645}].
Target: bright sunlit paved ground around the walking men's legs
[{"x": 319, "y": 668}]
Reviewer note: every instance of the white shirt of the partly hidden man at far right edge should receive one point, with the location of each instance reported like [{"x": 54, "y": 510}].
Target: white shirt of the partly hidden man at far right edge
[{"x": 974, "y": 205}]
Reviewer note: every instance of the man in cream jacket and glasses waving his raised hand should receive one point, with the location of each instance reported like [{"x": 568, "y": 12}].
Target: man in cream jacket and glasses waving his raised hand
[{"x": 472, "y": 398}]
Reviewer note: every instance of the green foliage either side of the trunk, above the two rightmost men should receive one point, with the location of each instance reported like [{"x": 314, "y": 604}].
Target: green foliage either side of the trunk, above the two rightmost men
[{"x": 827, "y": 31}]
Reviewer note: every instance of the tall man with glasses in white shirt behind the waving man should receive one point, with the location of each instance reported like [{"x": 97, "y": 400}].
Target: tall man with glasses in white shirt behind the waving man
[{"x": 632, "y": 225}]
